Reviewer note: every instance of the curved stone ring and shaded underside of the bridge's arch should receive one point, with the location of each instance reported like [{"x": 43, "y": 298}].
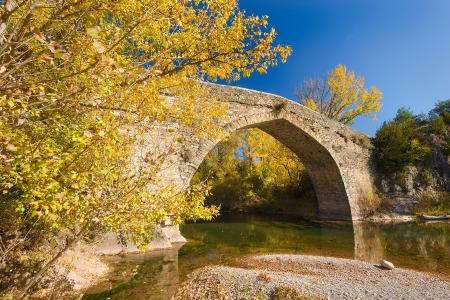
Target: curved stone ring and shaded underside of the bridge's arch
[{"x": 332, "y": 198}]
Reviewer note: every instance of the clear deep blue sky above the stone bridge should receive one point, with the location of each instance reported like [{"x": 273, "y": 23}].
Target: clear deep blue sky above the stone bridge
[{"x": 401, "y": 46}]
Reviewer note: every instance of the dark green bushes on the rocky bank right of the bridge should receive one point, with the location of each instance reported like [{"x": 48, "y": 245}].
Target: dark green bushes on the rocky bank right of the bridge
[{"x": 412, "y": 156}]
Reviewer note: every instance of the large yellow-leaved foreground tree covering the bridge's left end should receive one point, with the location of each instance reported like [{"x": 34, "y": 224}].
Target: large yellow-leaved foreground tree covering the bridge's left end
[{"x": 75, "y": 78}]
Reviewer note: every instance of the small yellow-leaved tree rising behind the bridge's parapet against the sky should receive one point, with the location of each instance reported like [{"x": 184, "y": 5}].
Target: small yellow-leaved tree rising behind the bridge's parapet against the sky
[{"x": 342, "y": 97}]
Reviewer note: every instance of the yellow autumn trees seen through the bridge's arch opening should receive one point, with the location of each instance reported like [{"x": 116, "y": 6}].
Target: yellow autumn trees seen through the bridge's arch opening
[{"x": 251, "y": 170}]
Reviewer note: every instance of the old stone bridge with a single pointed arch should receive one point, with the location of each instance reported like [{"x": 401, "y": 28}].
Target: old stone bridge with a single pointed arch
[{"x": 336, "y": 157}]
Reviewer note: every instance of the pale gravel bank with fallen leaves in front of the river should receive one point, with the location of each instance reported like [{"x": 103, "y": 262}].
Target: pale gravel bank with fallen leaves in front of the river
[{"x": 311, "y": 277}]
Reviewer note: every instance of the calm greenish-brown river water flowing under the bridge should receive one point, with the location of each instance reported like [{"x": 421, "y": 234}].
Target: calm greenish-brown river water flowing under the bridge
[{"x": 157, "y": 274}]
